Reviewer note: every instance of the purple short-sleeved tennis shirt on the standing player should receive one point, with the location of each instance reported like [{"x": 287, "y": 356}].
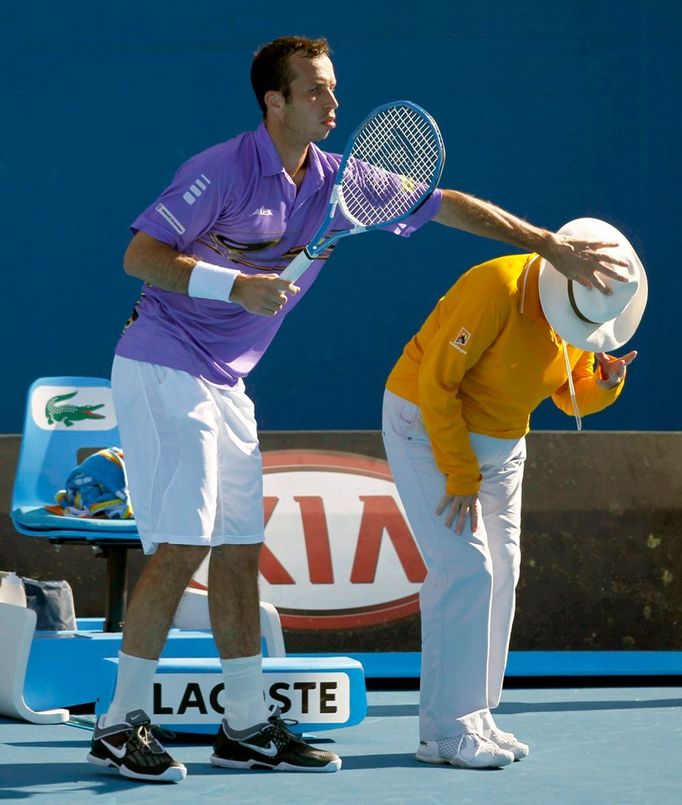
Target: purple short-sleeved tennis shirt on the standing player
[{"x": 233, "y": 205}]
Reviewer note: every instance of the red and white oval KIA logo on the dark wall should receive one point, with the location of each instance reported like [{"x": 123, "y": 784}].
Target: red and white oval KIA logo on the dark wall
[{"x": 338, "y": 551}]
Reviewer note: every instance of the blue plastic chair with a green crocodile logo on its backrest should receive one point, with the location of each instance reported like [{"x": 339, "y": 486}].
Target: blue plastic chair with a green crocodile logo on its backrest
[{"x": 66, "y": 419}]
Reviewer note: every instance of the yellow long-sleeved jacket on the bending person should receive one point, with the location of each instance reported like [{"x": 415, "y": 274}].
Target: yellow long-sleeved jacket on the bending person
[{"x": 484, "y": 359}]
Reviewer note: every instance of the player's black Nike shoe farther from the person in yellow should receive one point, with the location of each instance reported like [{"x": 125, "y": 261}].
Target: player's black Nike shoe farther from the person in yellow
[{"x": 132, "y": 749}]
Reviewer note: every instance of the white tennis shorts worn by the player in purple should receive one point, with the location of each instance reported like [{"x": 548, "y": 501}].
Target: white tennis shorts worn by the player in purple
[{"x": 191, "y": 455}]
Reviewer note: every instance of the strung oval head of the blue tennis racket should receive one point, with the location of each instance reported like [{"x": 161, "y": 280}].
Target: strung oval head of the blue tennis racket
[{"x": 395, "y": 163}]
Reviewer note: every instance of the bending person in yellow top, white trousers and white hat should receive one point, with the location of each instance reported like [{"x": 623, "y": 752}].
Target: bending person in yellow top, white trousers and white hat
[{"x": 456, "y": 410}]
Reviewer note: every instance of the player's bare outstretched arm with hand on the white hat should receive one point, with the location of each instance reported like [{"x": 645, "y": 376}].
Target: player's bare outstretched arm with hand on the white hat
[{"x": 580, "y": 260}]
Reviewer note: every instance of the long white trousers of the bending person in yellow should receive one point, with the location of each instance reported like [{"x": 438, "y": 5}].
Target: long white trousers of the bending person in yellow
[{"x": 468, "y": 597}]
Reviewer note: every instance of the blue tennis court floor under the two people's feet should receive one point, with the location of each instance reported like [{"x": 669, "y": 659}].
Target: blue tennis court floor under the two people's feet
[{"x": 596, "y": 745}]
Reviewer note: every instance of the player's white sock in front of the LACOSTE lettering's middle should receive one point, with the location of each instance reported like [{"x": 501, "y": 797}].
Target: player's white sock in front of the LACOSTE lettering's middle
[{"x": 244, "y": 699}]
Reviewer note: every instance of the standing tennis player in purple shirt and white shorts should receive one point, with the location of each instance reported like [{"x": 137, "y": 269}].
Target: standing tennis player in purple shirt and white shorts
[{"x": 210, "y": 250}]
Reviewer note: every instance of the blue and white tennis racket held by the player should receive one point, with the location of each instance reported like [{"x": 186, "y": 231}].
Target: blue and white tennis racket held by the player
[{"x": 391, "y": 165}]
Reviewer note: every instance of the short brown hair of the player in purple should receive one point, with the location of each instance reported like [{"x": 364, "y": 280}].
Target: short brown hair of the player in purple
[{"x": 270, "y": 68}]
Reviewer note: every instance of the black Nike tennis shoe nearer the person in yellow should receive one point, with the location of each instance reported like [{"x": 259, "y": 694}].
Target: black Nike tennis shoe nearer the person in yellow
[{"x": 270, "y": 745}]
